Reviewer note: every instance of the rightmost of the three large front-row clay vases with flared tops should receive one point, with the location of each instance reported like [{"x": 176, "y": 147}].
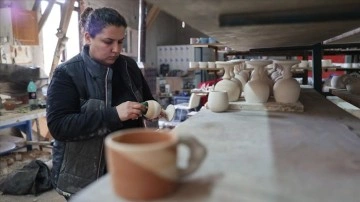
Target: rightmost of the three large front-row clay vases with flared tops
[{"x": 287, "y": 89}]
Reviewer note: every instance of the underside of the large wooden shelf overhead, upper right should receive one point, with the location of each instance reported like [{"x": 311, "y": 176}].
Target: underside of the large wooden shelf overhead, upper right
[{"x": 255, "y": 24}]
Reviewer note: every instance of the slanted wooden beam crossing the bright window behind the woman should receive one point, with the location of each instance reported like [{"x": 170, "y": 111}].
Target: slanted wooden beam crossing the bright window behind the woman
[{"x": 61, "y": 34}]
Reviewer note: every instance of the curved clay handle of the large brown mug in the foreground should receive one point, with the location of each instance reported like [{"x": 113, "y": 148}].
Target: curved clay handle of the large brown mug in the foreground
[{"x": 196, "y": 156}]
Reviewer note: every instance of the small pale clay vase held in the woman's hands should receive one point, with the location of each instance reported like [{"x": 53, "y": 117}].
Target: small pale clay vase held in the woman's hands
[{"x": 154, "y": 109}]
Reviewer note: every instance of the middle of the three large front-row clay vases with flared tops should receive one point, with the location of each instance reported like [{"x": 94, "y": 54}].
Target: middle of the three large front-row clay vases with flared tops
[{"x": 257, "y": 89}]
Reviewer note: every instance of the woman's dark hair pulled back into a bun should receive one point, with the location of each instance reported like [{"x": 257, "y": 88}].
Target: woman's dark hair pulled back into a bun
[{"x": 93, "y": 21}]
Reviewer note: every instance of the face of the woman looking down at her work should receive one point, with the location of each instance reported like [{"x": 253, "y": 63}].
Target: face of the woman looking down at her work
[{"x": 106, "y": 46}]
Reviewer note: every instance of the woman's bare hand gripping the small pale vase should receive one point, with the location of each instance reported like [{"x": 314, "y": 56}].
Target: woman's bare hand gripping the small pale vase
[{"x": 130, "y": 110}]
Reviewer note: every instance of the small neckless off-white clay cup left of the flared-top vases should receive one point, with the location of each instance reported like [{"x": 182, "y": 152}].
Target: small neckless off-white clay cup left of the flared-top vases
[{"x": 218, "y": 101}]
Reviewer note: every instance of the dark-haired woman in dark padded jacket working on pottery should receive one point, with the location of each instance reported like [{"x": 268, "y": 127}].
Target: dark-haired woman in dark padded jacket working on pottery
[{"x": 91, "y": 95}]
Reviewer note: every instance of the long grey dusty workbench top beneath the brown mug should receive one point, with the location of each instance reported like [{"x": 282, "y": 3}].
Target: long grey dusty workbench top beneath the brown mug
[{"x": 268, "y": 156}]
